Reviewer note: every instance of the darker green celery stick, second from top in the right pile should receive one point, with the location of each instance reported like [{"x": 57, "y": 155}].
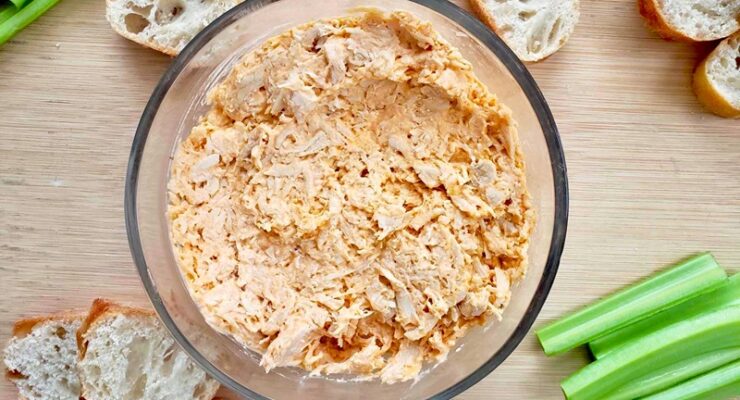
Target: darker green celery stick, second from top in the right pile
[{"x": 725, "y": 295}]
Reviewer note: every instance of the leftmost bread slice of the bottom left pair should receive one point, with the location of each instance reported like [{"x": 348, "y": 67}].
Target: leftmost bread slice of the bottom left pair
[{"x": 41, "y": 357}]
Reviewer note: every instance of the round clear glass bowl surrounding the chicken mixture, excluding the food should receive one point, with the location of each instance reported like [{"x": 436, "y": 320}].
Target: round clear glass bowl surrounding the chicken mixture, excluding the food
[{"x": 180, "y": 98}]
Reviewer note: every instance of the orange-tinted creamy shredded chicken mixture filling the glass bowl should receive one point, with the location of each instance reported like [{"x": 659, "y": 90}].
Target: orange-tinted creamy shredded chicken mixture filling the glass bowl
[{"x": 353, "y": 202}]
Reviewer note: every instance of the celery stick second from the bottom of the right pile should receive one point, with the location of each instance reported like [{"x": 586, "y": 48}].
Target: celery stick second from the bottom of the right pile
[{"x": 664, "y": 378}]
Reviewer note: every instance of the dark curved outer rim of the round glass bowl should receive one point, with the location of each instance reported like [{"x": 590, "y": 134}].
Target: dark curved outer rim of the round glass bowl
[{"x": 474, "y": 27}]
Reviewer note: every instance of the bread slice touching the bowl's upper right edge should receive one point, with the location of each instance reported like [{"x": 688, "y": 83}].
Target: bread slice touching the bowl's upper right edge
[{"x": 534, "y": 29}]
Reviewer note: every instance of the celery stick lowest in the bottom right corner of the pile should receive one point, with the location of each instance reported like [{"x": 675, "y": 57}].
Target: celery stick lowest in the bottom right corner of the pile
[{"x": 721, "y": 383}]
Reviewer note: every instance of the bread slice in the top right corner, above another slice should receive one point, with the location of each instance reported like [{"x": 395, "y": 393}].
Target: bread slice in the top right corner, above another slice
[{"x": 691, "y": 20}]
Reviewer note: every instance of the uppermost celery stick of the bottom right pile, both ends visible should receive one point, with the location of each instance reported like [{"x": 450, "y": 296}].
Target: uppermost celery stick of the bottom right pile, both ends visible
[{"x": 687, "y": 279}]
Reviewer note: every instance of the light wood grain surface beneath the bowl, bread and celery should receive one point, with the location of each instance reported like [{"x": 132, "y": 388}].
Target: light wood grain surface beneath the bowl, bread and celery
[{"x": 653, "y": 177}]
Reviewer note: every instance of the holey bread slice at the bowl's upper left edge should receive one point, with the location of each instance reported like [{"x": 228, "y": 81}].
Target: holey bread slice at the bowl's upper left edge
[{"x": 164, "y": 25}]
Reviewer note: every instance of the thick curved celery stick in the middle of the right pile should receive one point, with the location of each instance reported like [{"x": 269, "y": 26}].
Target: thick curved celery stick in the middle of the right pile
[{"x": 715, "y": 330}]
